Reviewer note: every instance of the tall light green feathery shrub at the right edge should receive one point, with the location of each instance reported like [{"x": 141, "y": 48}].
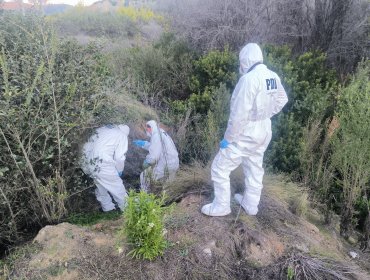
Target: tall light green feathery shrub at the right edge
[{"x": 336, "y": 154}]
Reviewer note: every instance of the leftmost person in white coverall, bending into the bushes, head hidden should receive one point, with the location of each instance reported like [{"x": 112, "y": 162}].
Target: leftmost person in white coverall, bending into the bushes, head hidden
[{"x": 104, "y": 160}]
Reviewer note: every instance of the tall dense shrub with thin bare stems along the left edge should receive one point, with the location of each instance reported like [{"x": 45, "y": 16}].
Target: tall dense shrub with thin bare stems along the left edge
[{"x": 50, "y": 92}]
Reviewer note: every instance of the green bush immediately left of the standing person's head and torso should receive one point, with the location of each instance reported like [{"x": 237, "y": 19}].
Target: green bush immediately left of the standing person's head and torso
[{"x": 201, "y": 118}]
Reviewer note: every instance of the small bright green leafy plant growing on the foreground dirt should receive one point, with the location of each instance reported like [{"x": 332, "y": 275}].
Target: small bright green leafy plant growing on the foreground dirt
[{"x": 144, "y": 225}]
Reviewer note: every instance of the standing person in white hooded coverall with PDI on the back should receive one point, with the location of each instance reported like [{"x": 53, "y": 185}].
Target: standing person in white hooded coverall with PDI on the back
[{"x": 257, "y": 96}]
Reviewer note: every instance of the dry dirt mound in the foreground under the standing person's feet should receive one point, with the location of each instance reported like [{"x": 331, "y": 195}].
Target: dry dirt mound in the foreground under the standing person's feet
[{"x": 237, "y": 246}]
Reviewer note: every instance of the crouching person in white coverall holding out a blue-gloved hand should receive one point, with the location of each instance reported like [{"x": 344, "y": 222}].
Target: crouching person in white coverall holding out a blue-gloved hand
[{"x": 162, "y": 161}]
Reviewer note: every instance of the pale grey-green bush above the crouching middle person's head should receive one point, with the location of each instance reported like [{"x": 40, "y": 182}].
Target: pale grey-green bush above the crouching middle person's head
[{"x": 156, "y": 73}]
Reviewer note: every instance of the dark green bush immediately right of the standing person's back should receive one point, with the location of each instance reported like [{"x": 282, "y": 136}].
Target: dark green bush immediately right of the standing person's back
[{"x": 311, "y": 89}]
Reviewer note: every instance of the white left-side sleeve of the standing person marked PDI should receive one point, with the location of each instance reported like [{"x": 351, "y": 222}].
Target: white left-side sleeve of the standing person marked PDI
[{"x": 240, "y": 107}]
